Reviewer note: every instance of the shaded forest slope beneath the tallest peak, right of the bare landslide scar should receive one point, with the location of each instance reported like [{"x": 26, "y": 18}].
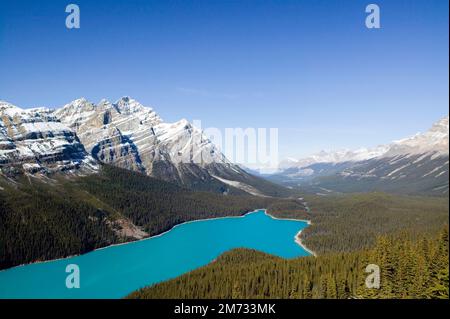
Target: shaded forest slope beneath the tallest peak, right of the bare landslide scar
[{"x": 157, "y": 205}]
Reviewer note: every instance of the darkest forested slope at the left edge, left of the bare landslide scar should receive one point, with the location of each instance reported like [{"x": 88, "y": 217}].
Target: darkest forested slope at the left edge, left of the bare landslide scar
[{"x": 40, "y": 222}]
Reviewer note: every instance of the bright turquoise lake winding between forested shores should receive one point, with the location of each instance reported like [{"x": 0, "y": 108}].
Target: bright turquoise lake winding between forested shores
[{"x": 116, "y": 271}]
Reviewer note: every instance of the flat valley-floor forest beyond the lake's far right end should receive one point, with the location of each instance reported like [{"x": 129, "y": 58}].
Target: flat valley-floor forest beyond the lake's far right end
[{"x": 352, "y": 222}]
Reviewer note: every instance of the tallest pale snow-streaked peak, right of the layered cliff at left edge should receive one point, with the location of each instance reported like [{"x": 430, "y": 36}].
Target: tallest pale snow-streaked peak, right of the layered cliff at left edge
[{"x": 132, "y": 136}]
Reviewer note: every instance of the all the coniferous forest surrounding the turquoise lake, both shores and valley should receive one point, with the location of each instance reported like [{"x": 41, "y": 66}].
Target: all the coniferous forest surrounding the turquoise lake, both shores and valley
[{"x": 43, "y": 220}]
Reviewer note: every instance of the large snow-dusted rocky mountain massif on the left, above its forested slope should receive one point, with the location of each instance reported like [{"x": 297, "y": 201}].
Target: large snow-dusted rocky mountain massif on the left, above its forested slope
[{"x": 77, "y": 137}]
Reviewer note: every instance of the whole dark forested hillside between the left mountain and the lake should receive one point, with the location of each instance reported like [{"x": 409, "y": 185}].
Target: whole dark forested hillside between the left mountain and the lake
[{"x": 42, "y": 219}]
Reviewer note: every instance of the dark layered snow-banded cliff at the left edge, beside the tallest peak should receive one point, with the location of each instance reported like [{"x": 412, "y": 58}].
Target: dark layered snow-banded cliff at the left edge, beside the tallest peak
[{"x": 35, "y": 141}]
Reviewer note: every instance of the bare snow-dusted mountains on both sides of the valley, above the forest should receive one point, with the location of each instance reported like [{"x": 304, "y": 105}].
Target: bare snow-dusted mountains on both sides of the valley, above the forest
[{"x": 76, "y": 138}]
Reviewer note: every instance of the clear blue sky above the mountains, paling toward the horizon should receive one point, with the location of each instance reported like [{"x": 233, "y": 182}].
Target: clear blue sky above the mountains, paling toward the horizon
[{"x": 310, "y": 68}]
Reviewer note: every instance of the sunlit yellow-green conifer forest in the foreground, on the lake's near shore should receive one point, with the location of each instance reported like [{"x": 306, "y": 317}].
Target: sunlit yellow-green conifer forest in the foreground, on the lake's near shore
[{"x": 410, "y": 267}]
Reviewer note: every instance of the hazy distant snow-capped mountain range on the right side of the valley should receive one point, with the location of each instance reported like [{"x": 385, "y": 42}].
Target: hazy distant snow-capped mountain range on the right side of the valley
[{"x": 417, "y": 164}]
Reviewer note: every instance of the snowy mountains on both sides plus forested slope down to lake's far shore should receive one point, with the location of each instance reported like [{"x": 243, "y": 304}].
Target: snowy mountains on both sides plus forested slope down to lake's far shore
[{"x": 88, "y": 175}]
